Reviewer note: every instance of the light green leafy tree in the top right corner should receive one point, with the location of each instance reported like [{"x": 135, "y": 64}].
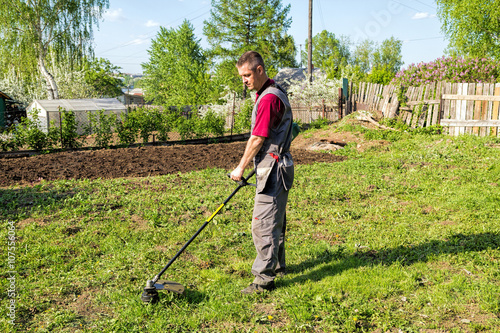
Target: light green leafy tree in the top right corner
[{"x": 472, "y": 27}]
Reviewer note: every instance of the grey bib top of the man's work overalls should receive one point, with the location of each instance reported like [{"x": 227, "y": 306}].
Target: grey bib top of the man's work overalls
[{"x": 276, "y": 147}]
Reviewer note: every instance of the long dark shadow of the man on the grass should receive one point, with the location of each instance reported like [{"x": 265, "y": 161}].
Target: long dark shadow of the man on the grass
[{"x": 403, "y": 254}]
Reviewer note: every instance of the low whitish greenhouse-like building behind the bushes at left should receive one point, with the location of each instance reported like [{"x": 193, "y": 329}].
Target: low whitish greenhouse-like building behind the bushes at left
[{"x": 49, "y": 110}]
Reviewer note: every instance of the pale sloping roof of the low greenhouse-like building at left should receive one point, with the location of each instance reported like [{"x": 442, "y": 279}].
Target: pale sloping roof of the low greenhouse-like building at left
[{"x": 95, "y": 104}]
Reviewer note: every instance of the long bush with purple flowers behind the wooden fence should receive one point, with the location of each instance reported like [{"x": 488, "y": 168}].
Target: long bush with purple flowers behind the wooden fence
[{"x": 449, "y": 69}]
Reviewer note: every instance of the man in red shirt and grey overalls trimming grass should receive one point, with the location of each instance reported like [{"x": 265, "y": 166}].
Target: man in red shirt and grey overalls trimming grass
[{"x": 269, "y": 148}]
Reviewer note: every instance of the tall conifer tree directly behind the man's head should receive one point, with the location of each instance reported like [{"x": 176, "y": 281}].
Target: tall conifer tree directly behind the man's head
[{"x": 236, "y": 26}]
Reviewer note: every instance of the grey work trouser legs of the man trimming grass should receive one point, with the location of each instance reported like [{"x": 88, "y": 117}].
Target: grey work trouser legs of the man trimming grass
[{"x": 268, "y": 231}]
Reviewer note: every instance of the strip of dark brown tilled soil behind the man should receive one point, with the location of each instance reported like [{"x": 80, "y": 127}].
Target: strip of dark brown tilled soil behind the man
[{"x": 134, "y": 162}]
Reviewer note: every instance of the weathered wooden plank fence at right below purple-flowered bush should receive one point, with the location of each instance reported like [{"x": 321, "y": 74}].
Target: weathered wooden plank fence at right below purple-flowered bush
[{"x": 461, "y": 108}]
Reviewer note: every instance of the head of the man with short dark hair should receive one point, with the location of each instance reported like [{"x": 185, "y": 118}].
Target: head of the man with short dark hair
[{"x": 252, "y": 70}]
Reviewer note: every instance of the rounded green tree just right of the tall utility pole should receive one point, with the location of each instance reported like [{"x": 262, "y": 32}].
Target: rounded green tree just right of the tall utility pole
[{"x": 329, "y": 53}]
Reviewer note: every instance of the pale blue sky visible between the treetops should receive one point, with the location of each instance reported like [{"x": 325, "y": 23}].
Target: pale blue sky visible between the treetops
[{"x": 125, "y": 34}]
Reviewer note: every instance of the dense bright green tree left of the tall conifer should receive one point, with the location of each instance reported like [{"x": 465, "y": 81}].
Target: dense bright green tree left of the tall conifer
[{"x": 177, "y": 71}]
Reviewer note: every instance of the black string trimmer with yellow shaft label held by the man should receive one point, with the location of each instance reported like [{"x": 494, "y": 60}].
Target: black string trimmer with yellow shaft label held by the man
[{"x": 150, "y": 294}]
